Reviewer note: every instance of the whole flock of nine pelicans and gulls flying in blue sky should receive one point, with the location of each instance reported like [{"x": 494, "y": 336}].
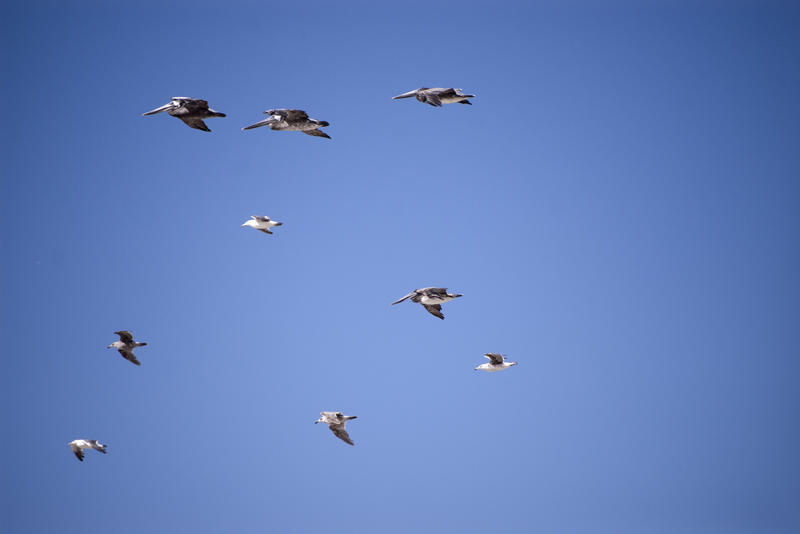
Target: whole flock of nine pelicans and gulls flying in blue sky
[{"x": 192, "y": 111}]
